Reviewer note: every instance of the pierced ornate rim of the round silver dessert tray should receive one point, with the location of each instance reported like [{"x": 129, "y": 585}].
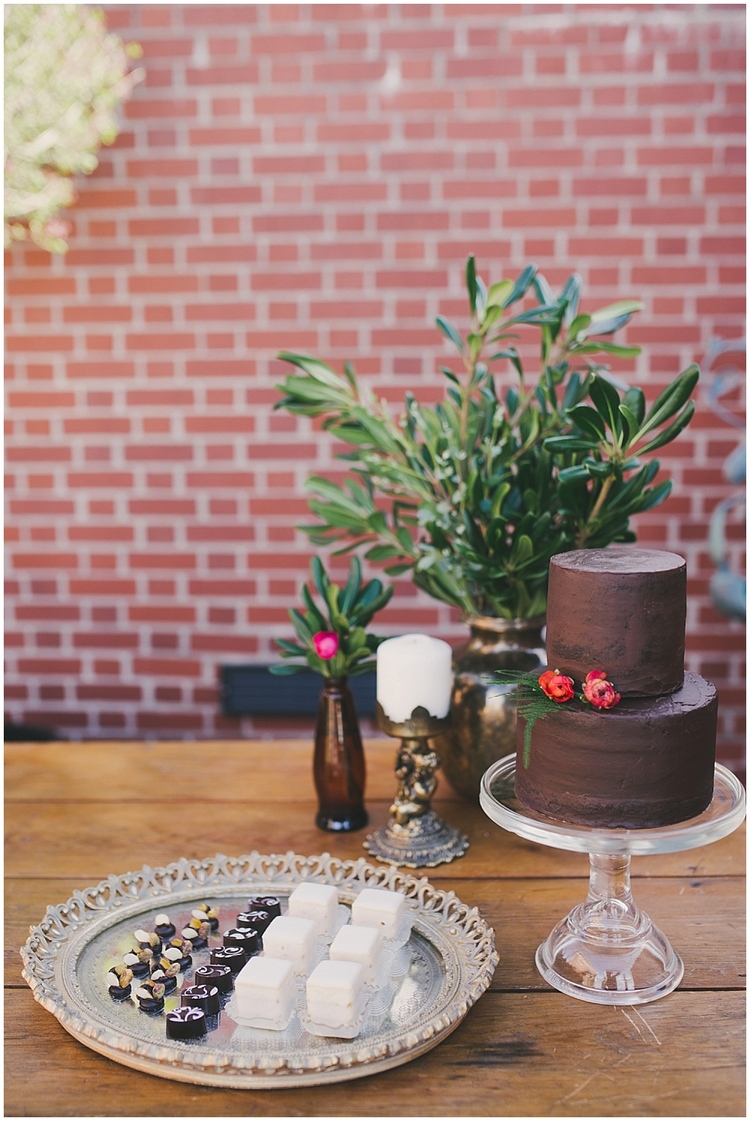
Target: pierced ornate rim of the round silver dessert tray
[{"x": 87, "y": 913}]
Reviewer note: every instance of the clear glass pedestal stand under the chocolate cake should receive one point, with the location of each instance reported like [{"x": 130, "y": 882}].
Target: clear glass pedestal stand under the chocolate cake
[{"x": 607, "y": 950}]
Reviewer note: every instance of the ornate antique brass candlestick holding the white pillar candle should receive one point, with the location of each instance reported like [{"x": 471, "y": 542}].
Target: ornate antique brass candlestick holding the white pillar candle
[{"x": 415, "y": 837}]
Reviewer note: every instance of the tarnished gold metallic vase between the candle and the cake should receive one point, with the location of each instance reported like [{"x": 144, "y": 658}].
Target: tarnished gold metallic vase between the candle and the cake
[{"x": 484, "y": 710}]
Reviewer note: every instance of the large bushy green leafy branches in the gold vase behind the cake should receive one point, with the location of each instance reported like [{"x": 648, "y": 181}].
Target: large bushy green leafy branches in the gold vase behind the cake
[{"x": 474, "y": 497}]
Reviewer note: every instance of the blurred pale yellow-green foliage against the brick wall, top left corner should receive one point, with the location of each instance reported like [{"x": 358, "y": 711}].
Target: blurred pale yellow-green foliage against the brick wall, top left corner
[{"x": 64, "y": 79}]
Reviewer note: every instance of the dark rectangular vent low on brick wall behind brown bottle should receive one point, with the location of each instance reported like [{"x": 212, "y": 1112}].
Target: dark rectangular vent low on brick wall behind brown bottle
[{"x": 254, "y": 691}]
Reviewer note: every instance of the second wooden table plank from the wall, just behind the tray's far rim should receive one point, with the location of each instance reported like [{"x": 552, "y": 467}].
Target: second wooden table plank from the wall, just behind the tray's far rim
[{"x": 80, "y": 841}]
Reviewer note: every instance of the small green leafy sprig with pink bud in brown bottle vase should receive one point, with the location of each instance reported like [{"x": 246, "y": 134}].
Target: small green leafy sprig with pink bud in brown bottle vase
[{"x": 332, "y": 638}]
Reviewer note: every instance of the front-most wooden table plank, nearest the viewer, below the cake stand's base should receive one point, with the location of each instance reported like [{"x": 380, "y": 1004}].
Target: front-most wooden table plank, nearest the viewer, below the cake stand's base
[{"x": 515, "y": 1055}]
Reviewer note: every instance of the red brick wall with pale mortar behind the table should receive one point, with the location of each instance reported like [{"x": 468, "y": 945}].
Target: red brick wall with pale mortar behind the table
[{"x": 312, "y": 178}]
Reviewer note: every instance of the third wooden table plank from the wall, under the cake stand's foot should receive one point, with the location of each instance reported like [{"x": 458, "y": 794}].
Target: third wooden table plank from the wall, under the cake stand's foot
[{"x": 705, "y": 920}]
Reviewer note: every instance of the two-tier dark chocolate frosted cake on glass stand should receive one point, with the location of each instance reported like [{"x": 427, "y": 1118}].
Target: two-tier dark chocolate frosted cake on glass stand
[{"x": 649, "y": 761}]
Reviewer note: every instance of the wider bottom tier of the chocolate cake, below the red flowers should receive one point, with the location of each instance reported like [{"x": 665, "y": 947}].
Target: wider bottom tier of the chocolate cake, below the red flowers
[{"x": 644, "y": 764}]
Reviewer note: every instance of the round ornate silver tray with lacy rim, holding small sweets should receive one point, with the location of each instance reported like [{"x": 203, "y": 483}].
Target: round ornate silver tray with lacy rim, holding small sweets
[{"x": 452, "y": 960}]
